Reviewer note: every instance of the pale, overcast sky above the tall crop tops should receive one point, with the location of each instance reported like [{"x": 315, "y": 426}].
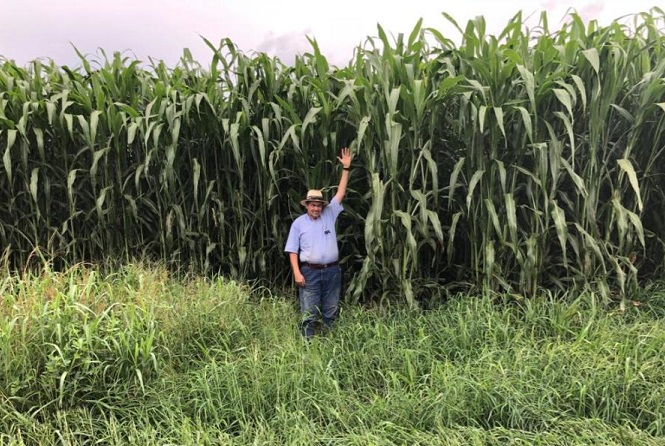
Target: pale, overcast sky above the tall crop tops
[{"x": 160, "y": 29}]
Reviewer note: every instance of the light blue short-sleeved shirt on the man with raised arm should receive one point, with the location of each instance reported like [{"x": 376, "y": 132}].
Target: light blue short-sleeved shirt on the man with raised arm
[{"x": 315, "y": 241}]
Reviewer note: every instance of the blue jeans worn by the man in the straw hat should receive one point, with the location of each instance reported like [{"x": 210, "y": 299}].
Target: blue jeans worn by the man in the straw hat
[{"x": 319, "y": 297}]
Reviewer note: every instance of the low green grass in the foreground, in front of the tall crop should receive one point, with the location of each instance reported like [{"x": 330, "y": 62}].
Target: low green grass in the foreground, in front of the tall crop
[{"x": 138, "y": 357}]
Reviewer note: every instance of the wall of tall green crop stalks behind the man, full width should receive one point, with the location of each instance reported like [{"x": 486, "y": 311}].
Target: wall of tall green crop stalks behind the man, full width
[{"x": 527, "y": 159}]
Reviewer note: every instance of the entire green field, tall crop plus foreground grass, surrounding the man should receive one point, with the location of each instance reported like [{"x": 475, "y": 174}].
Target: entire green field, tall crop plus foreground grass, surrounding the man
[{"x": 503, "y": 243}]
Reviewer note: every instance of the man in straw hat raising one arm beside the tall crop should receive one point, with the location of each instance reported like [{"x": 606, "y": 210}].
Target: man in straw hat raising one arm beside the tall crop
[{"x": 314, "y": 255}]
